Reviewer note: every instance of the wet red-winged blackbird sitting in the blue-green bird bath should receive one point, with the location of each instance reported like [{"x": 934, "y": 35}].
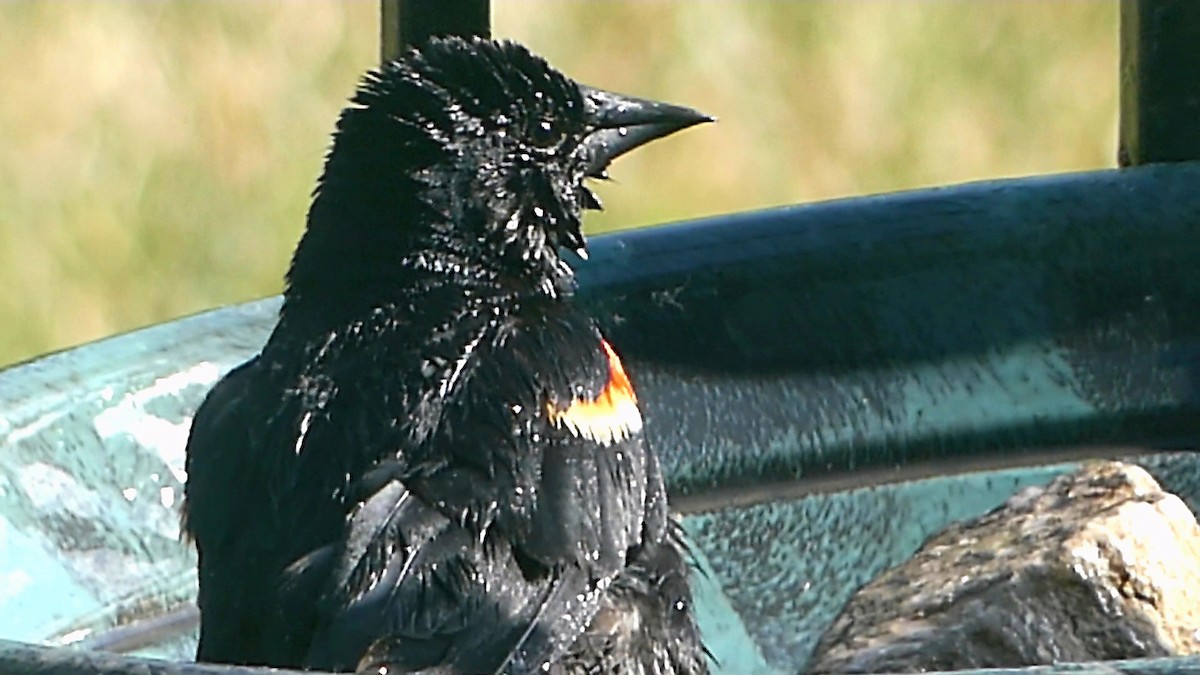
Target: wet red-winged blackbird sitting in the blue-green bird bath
[{"x": 437, "y": 464}]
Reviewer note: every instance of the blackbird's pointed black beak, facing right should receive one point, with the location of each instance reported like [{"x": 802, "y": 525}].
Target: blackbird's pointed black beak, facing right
[{"x": 623, "y": 123}]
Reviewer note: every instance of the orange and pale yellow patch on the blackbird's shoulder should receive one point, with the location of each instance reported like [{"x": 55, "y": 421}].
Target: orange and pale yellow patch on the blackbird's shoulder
[{"x": 610, "y": 417}]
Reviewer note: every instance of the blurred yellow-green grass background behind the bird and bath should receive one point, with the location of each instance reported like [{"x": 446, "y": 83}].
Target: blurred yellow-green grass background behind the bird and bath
[{"x": 157, "y": 159}]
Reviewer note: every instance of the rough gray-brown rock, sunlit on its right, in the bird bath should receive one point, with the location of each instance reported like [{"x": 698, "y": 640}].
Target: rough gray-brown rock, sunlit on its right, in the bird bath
[{"x": 1097, "y": 565}]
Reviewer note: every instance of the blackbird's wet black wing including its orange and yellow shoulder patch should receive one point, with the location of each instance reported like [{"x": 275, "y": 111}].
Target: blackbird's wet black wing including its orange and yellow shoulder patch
[{"x": 484, "y": 548}]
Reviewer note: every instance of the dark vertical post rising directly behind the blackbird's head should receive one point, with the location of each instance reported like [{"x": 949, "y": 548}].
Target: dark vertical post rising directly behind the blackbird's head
[{"x": 405, "y": 23}]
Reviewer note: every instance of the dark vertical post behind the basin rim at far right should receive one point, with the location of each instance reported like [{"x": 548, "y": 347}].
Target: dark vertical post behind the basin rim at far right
[{"x": 1160, "y": 81}]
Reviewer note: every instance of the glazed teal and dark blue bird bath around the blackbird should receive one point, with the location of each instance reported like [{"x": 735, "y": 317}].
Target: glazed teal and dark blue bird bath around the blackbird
[{"x": 827, "y": 385}]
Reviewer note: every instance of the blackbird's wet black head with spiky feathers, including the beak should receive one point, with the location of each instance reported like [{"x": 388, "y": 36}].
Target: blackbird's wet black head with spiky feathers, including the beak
[{"x": 469, "y": 156}]
